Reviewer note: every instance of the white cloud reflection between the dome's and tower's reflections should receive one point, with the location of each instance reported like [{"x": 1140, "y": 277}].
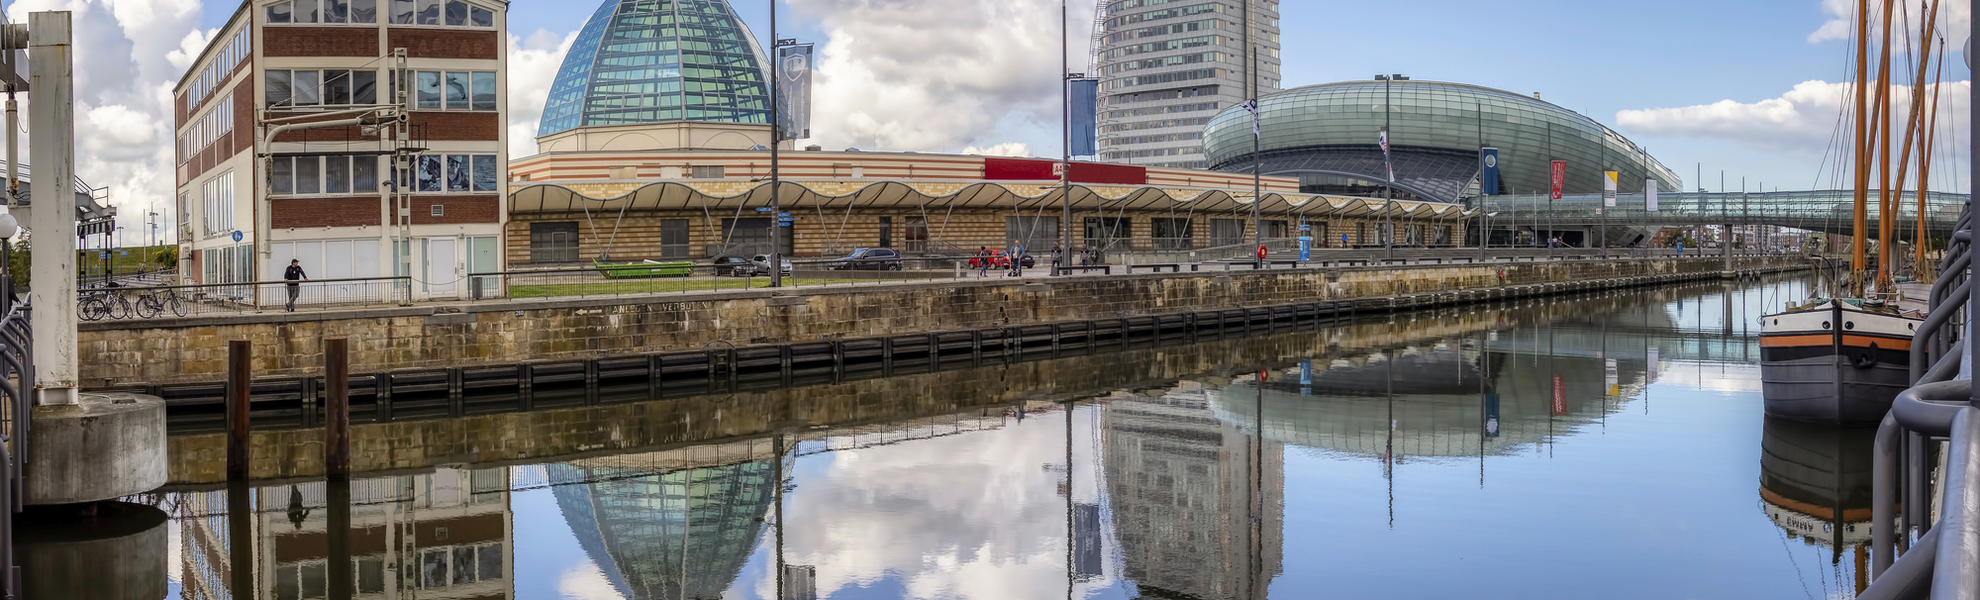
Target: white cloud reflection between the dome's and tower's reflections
[{"x": 971, "y": 516}]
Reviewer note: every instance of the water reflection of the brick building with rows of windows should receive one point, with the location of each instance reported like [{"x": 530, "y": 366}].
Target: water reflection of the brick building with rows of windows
[{"x": 435, "y": 536}]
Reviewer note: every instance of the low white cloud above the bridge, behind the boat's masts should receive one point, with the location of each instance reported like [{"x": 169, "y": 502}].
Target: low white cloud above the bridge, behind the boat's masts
[{"x": 1797, "y": 122}]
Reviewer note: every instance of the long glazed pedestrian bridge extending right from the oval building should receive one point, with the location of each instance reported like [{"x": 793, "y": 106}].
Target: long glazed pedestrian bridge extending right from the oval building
[{"x": 1819, "y": 211}]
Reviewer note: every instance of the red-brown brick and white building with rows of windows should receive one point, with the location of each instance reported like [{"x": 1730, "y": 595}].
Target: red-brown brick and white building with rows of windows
[{"x": 425, "y": 86}]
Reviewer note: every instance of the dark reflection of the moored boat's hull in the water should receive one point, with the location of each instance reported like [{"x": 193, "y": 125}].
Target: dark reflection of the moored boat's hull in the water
[{"x": 1817, "y": 484}]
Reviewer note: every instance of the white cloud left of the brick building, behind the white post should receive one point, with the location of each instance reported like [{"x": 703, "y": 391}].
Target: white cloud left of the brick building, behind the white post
[{"x": 134, "y": 54}]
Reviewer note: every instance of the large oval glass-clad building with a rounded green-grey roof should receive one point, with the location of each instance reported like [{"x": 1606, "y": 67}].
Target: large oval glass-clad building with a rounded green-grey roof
[{"x": 1328, "y": 136}]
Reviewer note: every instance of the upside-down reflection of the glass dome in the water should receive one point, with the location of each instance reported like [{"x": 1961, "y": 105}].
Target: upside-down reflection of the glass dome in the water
[{"x": 670, "y": 524}]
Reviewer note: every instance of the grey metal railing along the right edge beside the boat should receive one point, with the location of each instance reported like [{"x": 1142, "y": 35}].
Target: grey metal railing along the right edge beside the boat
[{"x": 1939, "y": 559}]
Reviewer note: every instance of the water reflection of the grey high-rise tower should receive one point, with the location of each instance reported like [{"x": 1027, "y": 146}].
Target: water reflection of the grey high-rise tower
[{"x": 1185, "y": 488}]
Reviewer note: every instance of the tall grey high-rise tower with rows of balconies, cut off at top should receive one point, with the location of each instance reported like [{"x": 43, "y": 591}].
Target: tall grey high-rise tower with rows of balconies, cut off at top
[{"x": 1167, "y": 66}]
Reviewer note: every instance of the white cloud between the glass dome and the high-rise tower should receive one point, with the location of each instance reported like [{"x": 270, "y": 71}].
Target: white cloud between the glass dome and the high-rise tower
[{"x": 934, "y": 74}]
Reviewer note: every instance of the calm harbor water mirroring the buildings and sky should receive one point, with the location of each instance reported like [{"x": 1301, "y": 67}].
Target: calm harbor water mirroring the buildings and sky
[{"x": 1605, "y": 447}]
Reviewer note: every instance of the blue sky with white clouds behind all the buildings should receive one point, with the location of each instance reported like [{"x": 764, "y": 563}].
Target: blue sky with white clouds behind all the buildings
[{"x": 1733, "y": 90}]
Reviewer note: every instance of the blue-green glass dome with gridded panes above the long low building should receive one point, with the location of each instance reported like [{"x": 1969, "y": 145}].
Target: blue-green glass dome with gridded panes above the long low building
[{"x": 660, "y": 60}]
